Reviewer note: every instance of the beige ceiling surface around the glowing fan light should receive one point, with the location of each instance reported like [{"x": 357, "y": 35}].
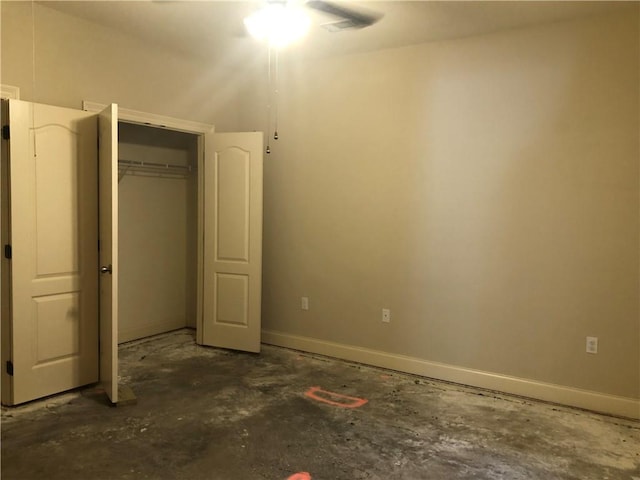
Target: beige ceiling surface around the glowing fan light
[{"x": 209, "y": 29}]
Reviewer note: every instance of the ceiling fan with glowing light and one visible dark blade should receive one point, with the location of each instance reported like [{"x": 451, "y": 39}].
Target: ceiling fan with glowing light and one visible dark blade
[{"x": 283, "y": 21}]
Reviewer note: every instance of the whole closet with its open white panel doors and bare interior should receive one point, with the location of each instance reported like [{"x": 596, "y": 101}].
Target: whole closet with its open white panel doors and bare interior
[{"x": 170, "y": 238}]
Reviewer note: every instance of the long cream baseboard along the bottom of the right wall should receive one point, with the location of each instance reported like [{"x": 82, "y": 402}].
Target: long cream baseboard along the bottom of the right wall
[{"x": 585, "y": 399}]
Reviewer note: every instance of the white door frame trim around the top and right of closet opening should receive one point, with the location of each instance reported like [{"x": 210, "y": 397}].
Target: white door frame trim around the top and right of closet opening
[{"x": 187, "y": 126}]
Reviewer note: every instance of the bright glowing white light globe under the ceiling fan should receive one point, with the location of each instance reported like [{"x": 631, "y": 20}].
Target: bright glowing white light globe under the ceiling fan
[{"x": 279, "y": 23}]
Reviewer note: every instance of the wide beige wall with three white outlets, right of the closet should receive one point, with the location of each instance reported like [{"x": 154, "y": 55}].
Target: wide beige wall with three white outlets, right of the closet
[{"x": 485, "y": 190}]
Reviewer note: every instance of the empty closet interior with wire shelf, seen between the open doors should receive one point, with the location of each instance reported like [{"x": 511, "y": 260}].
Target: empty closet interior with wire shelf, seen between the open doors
[{"x": 157, "y": 189}]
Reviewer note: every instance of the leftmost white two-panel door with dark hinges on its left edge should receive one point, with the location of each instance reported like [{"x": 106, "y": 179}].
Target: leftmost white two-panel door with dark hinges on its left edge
[{"x": 53, "y": 224}]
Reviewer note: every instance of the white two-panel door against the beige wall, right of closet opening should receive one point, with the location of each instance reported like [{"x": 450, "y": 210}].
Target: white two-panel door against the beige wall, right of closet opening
[{"x": 232, "y": 284}]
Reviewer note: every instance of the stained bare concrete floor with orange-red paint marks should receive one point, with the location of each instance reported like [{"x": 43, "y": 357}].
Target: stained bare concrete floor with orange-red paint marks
[{"x": 205, "y": 413}]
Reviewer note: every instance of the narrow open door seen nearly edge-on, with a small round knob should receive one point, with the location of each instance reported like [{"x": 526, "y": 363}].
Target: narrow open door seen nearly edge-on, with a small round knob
[{"x": 108, "y": 242}]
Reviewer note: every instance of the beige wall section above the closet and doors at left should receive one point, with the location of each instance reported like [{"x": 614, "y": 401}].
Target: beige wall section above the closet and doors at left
[{"x": 76, "y": 60}]
